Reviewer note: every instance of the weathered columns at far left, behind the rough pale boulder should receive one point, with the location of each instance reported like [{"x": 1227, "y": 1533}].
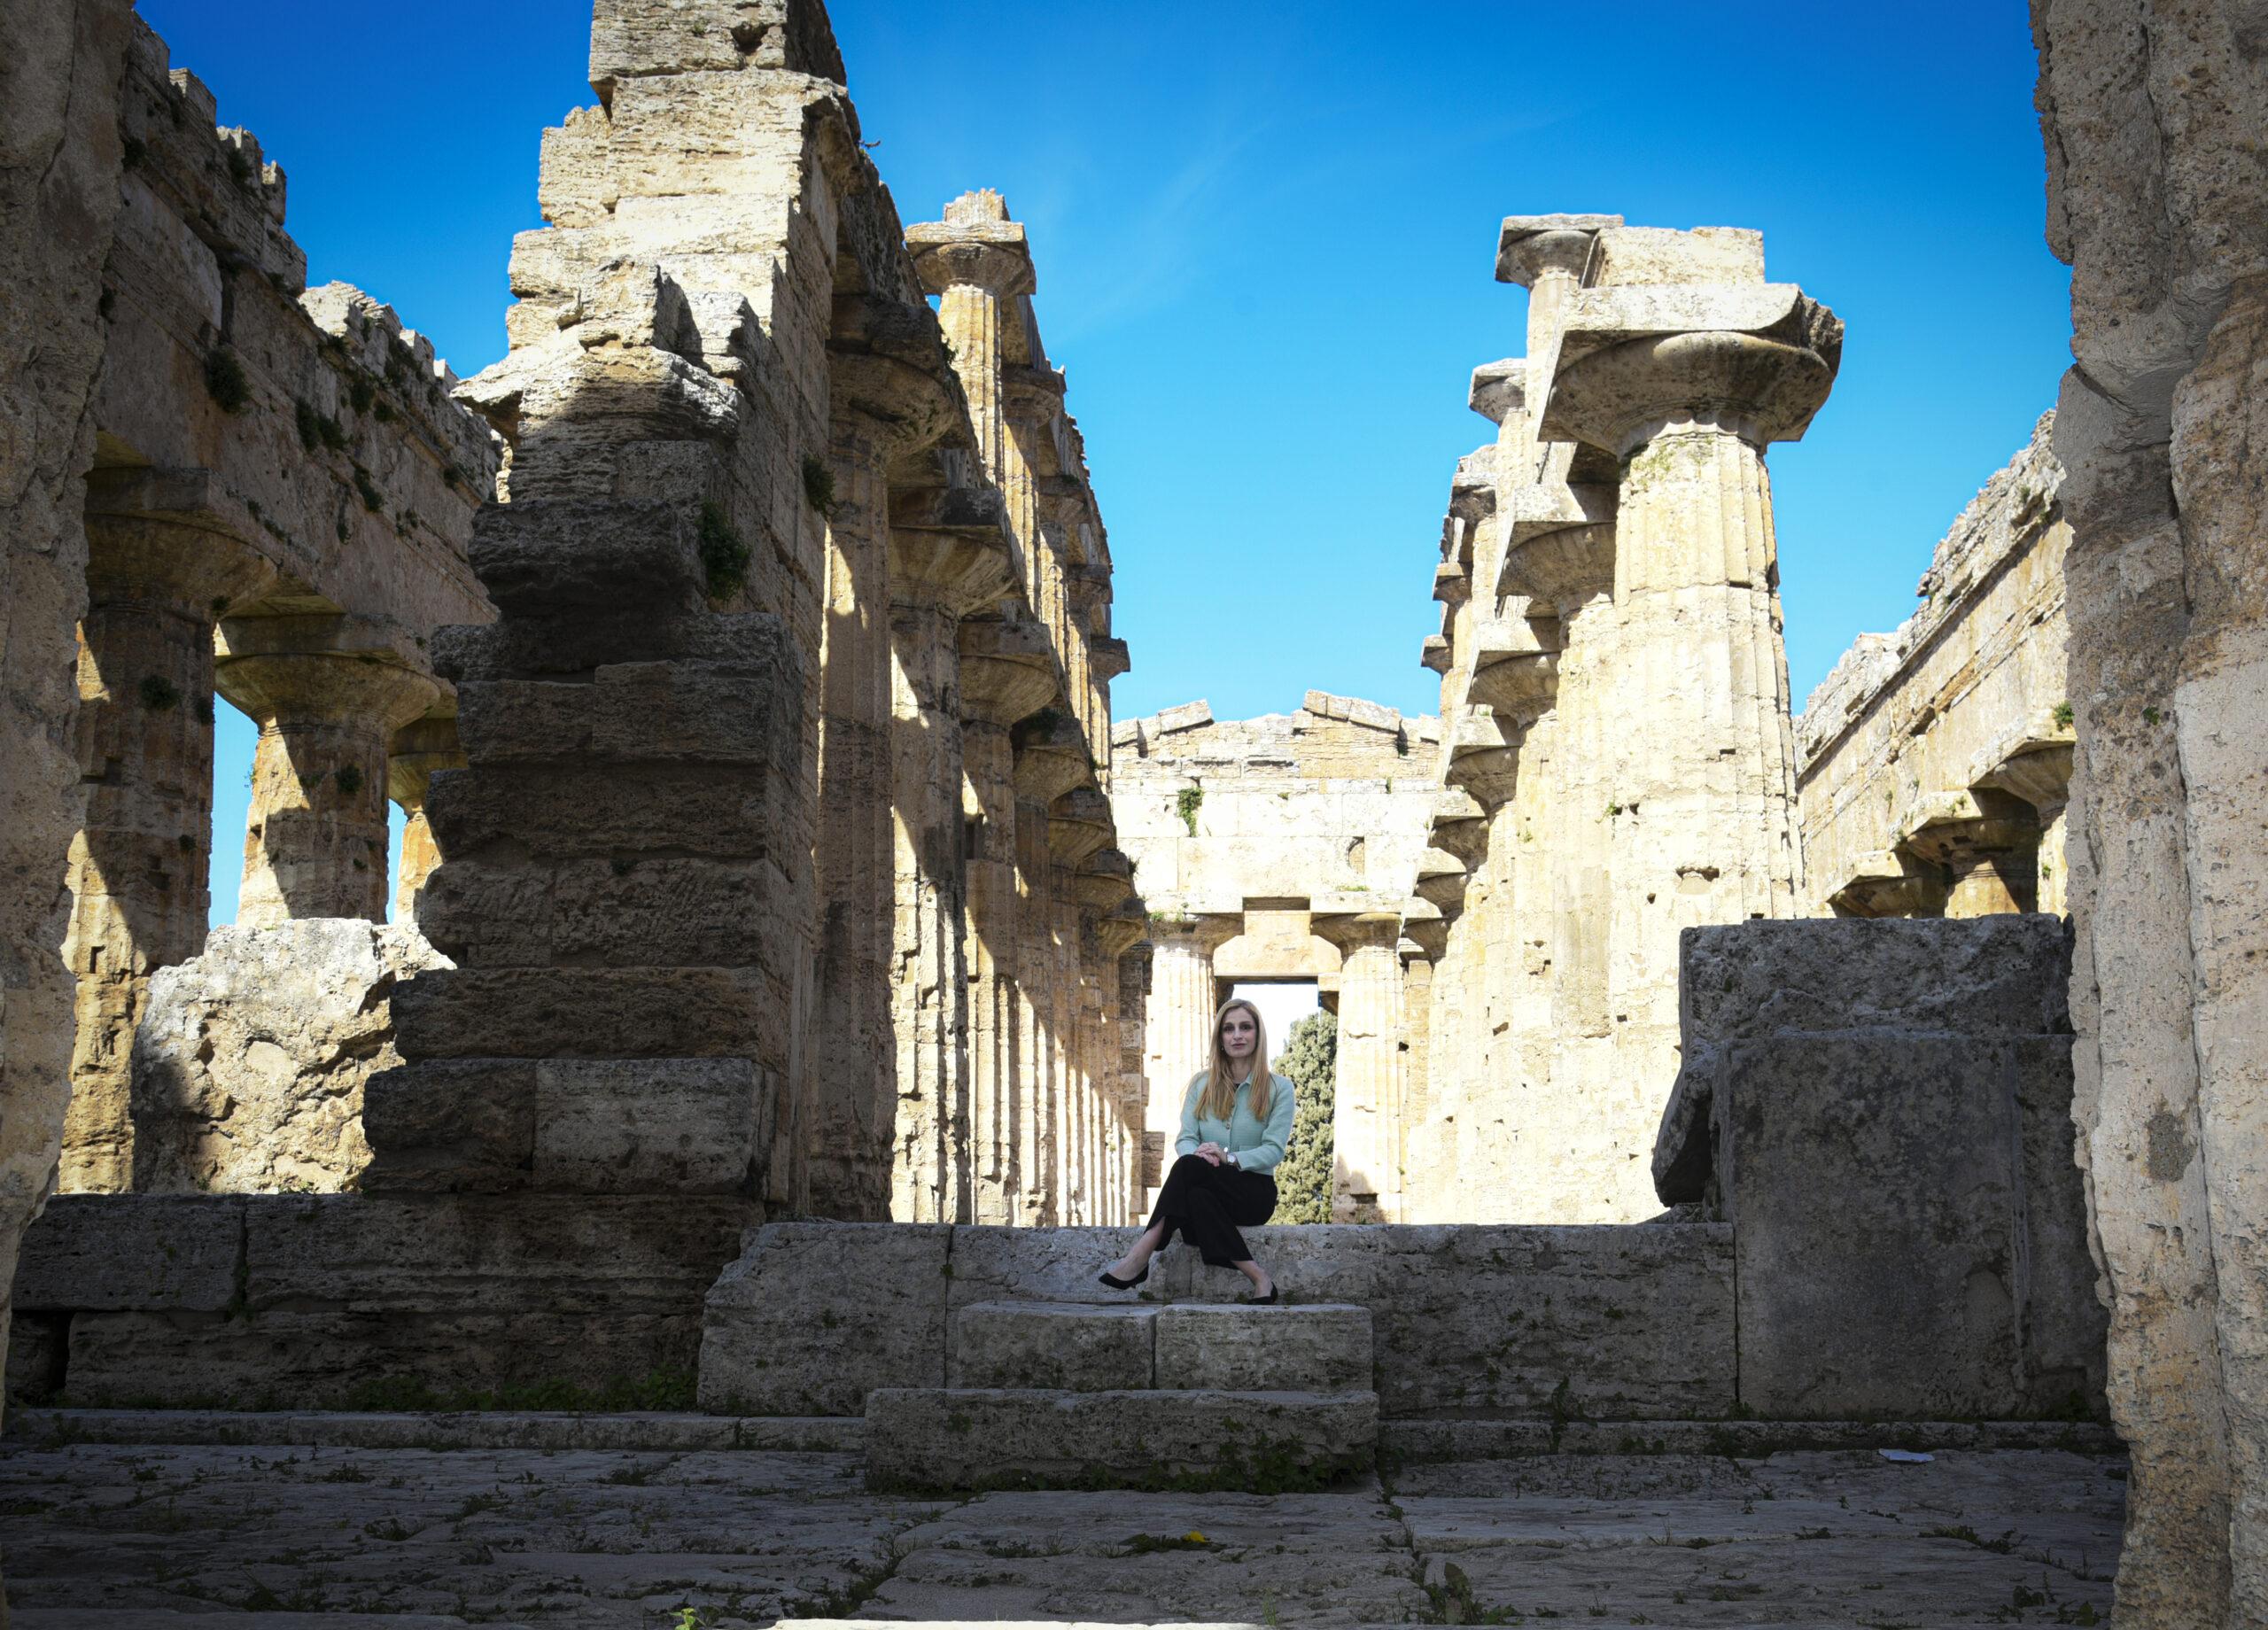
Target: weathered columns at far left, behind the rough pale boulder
[{"x": 341, "y": 731}]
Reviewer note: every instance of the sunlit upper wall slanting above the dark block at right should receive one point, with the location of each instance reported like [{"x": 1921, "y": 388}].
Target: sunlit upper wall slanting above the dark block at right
[{"x": 1936, "y": 761}]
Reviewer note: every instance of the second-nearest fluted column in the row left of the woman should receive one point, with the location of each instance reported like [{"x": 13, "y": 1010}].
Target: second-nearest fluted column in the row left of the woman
[{"x": 947, "y": 561}]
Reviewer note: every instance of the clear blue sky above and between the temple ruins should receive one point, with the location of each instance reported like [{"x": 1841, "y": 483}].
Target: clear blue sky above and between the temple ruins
[{"x": 1264, "y": 246}]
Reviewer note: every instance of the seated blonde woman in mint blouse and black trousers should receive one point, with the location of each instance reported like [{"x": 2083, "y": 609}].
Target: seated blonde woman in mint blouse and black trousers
[{"x": 1235, "y": 1126}]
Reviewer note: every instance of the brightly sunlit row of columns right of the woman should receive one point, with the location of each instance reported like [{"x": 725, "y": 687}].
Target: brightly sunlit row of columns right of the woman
[{"x": 1618, "y": 747}]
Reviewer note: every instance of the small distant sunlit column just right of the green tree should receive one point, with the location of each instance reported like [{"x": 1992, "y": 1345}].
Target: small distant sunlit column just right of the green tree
[{"x": 1366, "y": 1182}]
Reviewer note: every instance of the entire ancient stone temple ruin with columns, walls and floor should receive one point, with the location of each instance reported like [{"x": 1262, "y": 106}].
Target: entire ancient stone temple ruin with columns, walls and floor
[{"x": 795, "y": 969}]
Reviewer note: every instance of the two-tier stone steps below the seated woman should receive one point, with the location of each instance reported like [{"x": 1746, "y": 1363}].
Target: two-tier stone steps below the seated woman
[{"x": 1135, "y": 1398}]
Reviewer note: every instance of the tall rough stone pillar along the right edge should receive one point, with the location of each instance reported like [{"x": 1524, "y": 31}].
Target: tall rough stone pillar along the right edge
[{"x": 2158, "y": 198}]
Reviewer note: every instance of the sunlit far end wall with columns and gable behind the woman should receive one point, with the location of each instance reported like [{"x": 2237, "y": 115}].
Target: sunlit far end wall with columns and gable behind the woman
[{"x": 1283, "y": 849}]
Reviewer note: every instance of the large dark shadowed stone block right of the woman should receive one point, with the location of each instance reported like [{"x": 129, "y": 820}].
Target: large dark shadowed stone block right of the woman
[{"x": 1884, "y": 1114}]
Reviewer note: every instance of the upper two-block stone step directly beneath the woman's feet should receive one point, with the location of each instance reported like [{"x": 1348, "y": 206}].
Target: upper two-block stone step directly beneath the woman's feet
[{"x": 1187, "y": 1345}]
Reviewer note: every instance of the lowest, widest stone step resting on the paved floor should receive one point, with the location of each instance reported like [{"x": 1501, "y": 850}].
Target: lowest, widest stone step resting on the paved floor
[{"x": 1047, "y": 1438}]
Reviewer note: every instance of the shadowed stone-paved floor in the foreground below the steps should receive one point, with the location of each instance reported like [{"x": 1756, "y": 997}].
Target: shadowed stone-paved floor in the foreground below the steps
[{"x": 266, "y": 1538}]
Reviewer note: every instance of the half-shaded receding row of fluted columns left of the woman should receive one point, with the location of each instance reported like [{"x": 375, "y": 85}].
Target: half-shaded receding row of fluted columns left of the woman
[{"x": 976, "y": 919}]
